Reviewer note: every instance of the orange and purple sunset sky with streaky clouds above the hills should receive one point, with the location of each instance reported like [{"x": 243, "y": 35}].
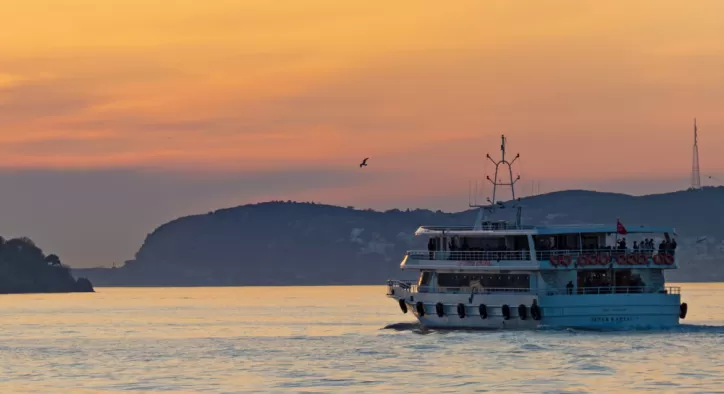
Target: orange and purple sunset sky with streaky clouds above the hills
[{"x": 123, "y": 114}]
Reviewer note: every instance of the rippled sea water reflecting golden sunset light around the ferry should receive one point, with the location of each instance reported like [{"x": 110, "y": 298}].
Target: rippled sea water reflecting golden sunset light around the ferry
[{"x": 330, "y": 339}]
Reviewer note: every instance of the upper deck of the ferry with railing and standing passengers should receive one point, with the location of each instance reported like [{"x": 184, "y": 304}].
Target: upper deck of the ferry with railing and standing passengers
[{"x": 581, "y": 247}]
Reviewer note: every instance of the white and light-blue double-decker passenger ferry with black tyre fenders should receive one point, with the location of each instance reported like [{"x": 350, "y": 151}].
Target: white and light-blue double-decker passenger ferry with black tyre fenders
[{"x": 500, "y": 274}]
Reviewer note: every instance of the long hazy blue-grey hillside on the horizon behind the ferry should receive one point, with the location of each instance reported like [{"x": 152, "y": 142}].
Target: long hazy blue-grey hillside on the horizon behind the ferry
[{"x": 287, "y": 243}]
